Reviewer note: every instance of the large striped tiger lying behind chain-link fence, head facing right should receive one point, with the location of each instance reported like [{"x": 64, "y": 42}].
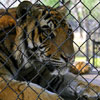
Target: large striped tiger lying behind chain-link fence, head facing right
[{"x": 40, "y": 41}]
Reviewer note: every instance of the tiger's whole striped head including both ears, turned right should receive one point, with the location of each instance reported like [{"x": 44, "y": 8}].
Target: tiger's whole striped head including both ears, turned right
[{"x": 45, "y": 34}]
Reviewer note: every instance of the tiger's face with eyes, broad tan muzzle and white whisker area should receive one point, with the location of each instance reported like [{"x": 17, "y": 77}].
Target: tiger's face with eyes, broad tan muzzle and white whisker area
[{"x": 56, "y": 38}]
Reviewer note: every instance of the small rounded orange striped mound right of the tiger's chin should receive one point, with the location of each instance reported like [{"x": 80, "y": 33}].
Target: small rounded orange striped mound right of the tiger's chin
[{"x": 81, "y": 67}]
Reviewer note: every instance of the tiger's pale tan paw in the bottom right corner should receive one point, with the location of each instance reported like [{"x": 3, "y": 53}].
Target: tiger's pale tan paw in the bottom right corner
[{"x": 88, "y": 91}]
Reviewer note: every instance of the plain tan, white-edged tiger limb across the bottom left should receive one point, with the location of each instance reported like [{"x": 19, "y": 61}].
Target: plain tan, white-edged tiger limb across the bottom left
[{"x": 16, "y": 90}]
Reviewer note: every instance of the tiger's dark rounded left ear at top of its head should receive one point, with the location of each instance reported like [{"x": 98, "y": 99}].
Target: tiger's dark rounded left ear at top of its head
[{"x": 23, "y": 9}]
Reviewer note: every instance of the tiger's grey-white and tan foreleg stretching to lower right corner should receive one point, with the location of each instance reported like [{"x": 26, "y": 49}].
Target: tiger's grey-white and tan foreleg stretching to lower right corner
[{"x": 77, "y": 89}]
